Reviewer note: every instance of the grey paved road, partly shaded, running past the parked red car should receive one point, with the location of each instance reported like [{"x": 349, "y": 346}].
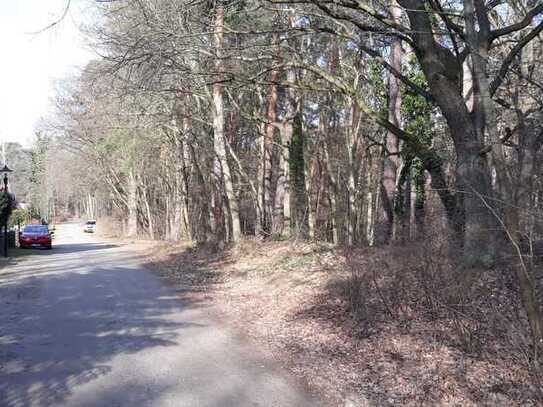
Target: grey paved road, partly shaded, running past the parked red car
[{"x": 86, "y": 325}]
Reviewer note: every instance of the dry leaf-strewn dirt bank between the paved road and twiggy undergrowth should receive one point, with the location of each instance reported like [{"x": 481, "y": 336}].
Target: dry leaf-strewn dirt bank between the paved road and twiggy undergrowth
[{"x": 293, "y": 300}]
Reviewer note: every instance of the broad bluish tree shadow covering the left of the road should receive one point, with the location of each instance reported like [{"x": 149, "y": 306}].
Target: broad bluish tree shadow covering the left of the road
[{"x": 63, "y": 321}]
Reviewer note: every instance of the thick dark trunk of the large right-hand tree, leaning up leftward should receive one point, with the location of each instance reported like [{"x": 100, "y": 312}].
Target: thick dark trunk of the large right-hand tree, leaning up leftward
[{"x": 443, "y": 72}]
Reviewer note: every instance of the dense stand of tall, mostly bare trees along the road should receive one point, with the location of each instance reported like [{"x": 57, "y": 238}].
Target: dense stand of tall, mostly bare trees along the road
[{"x": 358, "y": 124}]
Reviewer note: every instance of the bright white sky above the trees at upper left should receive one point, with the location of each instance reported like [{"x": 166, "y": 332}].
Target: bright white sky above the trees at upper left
[{"x": 31, "y": 62}]
